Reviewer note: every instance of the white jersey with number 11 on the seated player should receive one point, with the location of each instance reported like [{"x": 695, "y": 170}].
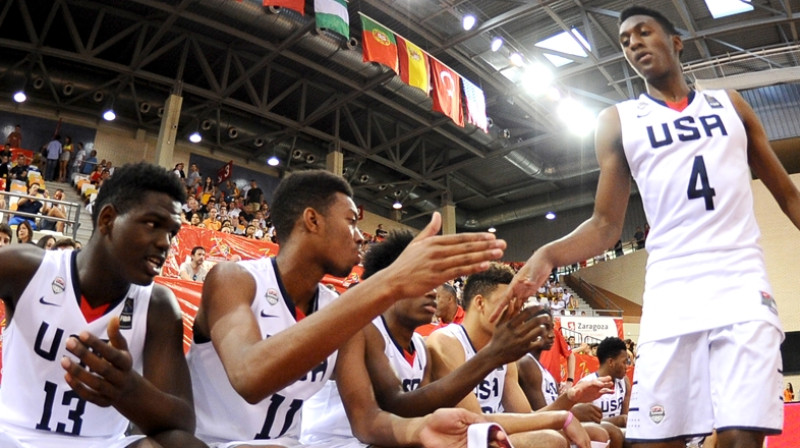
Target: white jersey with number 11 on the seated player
[{"x": 222, "y": 414}]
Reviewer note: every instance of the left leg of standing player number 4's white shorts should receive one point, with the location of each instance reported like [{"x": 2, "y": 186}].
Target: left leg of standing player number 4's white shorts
[{"x": 671, "y": 398}]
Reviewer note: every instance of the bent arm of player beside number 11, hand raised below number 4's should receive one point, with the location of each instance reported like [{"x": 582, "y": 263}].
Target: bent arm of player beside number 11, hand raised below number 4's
[{"x": 511, "y": 338}]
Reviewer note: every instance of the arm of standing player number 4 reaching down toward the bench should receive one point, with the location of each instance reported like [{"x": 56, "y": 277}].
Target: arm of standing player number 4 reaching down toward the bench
[{"x": 600, "y": 231}]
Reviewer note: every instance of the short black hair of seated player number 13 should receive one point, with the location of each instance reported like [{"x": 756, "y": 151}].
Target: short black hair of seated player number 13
[{"x": 130, "y": 182}]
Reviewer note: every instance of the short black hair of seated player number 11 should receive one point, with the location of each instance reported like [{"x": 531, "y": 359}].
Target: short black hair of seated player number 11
[{"x": 300, "y": 190}]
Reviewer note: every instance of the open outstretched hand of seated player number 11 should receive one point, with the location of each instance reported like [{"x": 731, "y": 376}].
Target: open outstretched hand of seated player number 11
[{"x": 432, "y": 259}]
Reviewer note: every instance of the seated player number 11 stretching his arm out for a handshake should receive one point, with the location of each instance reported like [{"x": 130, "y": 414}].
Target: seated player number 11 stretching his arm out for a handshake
[{"x": 267, "y": 332}]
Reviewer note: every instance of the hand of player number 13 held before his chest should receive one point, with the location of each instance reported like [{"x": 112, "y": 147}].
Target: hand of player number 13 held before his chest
[{"x": 107, "y": 375}]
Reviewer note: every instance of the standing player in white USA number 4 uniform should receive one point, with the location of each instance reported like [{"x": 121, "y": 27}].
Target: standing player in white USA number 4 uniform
[{"x": 691, "y": 154}]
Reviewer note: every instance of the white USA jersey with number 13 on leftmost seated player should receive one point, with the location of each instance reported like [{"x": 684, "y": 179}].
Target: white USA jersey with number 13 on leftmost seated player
[{"x": 35, "y": 400}]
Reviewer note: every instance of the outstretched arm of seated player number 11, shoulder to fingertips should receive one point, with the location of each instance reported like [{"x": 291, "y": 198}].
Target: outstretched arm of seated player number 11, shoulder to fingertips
[{"x": 258, "y": 368}]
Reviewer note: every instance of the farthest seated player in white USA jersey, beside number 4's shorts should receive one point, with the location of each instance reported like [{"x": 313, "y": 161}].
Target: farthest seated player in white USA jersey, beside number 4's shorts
[{"x": 613, "y": 357}]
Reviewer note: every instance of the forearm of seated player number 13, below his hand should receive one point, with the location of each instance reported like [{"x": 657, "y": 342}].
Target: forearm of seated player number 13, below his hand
[{"x": 154, "y": 411}]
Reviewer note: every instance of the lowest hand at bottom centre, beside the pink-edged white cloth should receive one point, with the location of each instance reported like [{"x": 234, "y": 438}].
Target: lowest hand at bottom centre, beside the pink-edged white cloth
[{"x": 447, "y": 428}]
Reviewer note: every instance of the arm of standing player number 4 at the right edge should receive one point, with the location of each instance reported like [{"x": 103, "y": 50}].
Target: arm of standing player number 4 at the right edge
[{"x": 765, "y": 163}]
